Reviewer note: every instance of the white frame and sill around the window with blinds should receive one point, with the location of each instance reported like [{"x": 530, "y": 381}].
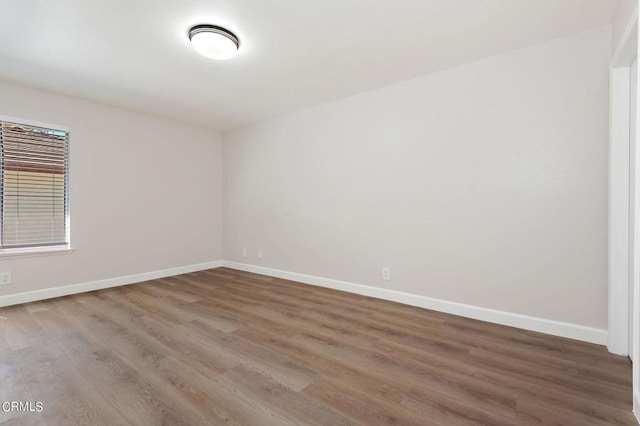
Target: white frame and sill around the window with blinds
[{"x": 43, "y": 250}]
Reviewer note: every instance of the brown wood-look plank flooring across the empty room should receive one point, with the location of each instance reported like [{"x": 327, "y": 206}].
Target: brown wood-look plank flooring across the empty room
[{"x": 229, "y": 347}]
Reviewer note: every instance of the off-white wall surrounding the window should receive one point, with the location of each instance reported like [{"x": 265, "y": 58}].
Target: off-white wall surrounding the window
[{"x": 145, "y": 192}]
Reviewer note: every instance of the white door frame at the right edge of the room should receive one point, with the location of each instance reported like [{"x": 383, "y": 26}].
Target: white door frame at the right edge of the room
[{"x": 620, "y": 267}]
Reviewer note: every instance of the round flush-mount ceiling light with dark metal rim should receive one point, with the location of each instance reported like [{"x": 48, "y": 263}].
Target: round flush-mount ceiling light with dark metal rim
[{"x": 214, "y": 42}]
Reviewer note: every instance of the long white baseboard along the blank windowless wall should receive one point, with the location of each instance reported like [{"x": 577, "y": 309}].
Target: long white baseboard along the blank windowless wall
[{"x": 557, "y": 328}]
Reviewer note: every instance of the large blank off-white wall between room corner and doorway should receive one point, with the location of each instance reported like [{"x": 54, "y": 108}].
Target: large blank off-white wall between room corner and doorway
[{"x": 484, "y": 184}]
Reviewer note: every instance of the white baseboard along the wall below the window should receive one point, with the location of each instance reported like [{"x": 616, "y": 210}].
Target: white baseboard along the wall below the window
[{"x": 48, "y": 293}]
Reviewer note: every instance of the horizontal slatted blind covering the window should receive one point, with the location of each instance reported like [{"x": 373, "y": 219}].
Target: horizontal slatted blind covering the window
[{"x": 33, "y": 186}]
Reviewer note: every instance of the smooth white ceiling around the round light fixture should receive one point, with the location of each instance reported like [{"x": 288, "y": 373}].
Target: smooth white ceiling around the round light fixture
[{"x": 294, "y": 53}]
